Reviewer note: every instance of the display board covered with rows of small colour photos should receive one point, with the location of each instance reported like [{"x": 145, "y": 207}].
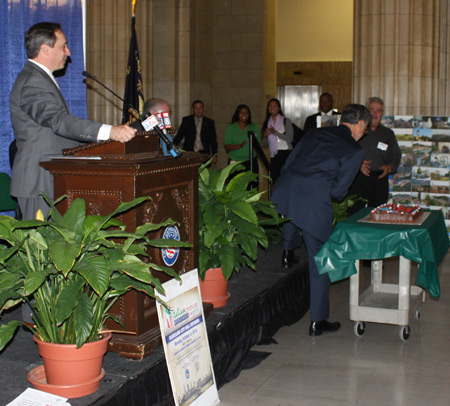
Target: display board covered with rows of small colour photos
[{"x": 424, "y": 172}]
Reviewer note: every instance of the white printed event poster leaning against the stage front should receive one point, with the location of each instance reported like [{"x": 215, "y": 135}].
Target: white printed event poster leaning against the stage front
[{"x": 185, "y": 342}]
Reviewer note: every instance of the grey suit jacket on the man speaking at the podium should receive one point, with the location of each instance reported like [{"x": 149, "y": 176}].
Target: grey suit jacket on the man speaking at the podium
[{"x": 43, "y": 126}]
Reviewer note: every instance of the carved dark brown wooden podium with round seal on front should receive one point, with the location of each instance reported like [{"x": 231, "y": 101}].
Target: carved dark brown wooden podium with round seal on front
[{"x": 108, "y": 173}]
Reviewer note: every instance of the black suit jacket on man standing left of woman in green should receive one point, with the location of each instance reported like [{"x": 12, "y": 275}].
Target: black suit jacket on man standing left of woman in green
[{"x": 188, "y": 132}]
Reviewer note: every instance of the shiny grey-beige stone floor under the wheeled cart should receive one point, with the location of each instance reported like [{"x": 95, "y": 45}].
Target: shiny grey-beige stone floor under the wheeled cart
[{"x": 344, "y": 369}]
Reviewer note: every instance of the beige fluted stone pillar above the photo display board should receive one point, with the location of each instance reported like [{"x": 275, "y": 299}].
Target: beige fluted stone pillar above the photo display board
[{"x": 401, "y": 54}]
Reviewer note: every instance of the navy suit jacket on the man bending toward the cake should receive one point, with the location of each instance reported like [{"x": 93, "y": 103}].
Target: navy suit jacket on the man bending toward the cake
[{"x": 320, "y": 168}]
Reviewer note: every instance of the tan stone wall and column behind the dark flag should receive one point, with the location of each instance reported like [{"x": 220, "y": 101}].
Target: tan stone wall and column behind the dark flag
[{"x": 220, "y": 51}]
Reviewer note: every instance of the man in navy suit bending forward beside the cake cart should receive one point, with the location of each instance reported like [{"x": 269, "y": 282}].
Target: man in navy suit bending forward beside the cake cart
[{"x": 320, "y": 168}]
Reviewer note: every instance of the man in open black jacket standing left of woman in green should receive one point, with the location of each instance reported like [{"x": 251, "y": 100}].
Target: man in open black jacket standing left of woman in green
[{"x": 198, "y": 132}]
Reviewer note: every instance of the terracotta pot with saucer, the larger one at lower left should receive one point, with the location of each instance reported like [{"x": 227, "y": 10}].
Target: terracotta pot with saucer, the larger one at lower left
[{"x": 66, "y": 365}]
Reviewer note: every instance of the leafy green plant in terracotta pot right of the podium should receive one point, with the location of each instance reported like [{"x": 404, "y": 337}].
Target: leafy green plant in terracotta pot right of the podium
[{"x": 233, "y": 222}]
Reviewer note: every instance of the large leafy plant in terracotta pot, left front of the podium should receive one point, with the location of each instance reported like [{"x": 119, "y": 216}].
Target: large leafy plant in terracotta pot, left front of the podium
[{"x": 71, "y": 270}]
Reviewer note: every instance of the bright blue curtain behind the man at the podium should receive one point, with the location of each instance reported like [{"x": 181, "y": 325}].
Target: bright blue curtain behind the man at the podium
[{"x": 15, "y": 19}]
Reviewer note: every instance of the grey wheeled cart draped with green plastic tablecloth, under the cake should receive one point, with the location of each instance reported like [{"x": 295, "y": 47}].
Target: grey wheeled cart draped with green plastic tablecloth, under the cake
[{"x": 353, "y": 240}]
